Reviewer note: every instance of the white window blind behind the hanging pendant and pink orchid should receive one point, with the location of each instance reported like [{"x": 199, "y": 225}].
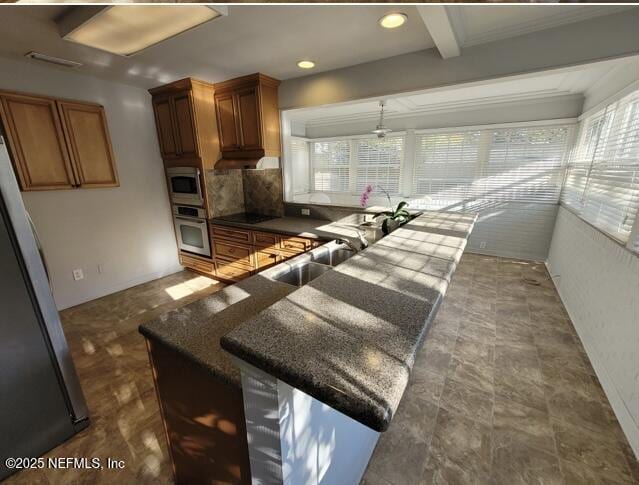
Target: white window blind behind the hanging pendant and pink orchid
[{"x": 379, "y": 163}]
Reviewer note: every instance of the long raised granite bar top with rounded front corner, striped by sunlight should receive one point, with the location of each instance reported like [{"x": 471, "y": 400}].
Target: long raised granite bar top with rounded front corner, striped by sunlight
[{"x": 349, "y": 337}]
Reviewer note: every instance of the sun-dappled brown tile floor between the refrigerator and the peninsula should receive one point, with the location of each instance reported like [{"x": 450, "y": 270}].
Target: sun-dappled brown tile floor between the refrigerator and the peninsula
[{"x": 112, "y": 363}]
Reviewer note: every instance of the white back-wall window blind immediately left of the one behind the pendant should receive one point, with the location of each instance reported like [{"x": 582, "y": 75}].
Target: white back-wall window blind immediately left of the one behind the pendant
[{"x": 330, "y": 163}]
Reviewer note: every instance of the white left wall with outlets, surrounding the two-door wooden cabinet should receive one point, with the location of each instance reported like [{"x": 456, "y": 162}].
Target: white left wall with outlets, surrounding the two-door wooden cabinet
[{"x": 128, "y": 229}]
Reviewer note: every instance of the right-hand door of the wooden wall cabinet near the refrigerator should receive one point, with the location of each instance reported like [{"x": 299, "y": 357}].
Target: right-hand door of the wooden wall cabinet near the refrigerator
[{"x": 89, "y": 144}]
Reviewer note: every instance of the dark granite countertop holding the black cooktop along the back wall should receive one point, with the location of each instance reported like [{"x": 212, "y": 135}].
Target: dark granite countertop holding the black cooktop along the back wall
[{"x": 299, "y": 226}]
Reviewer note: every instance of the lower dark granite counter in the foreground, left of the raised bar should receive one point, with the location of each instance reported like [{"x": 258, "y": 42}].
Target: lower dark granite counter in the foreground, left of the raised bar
[{"x": 195, "y": 329}]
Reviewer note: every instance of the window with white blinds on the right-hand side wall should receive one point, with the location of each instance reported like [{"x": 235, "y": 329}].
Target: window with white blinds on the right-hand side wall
[{"x": 602, "y": 179}]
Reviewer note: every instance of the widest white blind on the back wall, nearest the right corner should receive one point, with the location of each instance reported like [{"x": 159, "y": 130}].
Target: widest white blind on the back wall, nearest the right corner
[{"x": 474, "y": 167}]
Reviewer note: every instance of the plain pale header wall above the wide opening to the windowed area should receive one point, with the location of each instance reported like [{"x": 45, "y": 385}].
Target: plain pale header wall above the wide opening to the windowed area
[{"x": 599, "y": 38}]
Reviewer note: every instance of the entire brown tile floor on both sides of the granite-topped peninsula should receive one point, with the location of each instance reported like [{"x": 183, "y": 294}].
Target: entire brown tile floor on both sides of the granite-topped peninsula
[{"x": 501, "y": 393}]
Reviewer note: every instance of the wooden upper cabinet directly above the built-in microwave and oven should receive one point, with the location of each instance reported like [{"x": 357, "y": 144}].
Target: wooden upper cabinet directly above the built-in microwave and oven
[{"x": 186, "y": 122}]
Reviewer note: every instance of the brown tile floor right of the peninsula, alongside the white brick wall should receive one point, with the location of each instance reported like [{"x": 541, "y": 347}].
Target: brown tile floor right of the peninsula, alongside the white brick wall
[{"x": 502, "y": 392}]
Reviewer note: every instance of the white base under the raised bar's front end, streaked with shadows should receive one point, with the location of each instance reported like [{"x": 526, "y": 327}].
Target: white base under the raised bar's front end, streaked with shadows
[{"x": 295, "y": 439}]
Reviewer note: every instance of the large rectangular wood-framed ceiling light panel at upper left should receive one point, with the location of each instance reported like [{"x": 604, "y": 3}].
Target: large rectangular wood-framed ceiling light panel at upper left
[{"x": 128, "y": 29}]
